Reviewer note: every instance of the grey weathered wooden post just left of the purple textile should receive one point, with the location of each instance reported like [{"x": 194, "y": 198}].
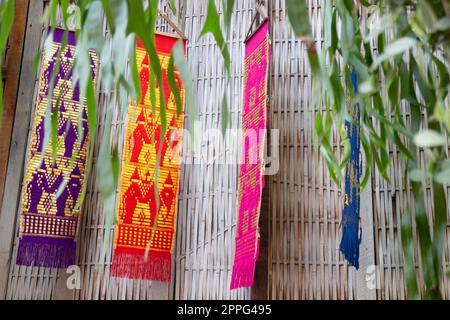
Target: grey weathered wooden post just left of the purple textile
[{"x": 14, "y": 175}]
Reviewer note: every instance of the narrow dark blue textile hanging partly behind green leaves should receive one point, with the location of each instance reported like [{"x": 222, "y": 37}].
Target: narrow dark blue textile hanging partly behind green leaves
[{"x": 351, "y": 230}]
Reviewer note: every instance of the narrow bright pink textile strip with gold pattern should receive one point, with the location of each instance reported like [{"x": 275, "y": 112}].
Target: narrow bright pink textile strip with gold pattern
[{"x": 251, "y": 178}]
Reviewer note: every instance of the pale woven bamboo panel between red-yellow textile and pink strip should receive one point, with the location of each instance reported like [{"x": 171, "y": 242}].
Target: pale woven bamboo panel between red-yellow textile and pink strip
[{"x": 208, "y": 200}]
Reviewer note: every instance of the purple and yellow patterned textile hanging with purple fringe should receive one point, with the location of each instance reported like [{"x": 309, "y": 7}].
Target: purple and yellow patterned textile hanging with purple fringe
[{"x": 49, "y": 211}]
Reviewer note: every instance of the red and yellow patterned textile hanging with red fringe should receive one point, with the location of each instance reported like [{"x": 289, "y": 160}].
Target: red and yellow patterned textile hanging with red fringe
[{"x": 140, "y": 203}]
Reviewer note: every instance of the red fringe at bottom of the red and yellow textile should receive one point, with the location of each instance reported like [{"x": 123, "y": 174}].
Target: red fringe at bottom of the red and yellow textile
[{"x": 134, "y": 266}]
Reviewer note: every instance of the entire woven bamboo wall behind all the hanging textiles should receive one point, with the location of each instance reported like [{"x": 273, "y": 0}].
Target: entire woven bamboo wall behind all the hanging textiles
[{"x": 305, "y": 206}]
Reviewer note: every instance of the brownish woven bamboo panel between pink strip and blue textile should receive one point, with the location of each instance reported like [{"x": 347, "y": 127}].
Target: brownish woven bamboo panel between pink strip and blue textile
[{"x": 305, "y": 205}]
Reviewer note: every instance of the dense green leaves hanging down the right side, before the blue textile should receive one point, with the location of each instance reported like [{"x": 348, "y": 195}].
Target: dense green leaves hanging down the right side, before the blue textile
[{"x": 408, "y": 68}]
